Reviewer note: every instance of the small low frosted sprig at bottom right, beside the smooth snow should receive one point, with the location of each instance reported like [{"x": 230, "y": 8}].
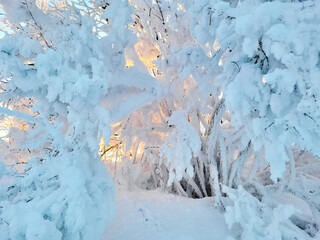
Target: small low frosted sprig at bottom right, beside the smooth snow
[{"x": 260, "y": 220}]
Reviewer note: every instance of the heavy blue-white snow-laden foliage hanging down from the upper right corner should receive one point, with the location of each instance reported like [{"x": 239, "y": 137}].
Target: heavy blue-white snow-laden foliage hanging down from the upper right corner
[{"x": 270, "y": 75}]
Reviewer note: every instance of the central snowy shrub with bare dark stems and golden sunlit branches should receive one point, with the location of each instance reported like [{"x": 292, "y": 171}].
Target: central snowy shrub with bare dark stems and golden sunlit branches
[{"x": 202, "y": 140}]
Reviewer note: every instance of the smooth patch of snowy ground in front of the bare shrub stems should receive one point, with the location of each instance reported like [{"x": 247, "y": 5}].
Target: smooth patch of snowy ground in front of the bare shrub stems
[{"x": 153, "y": 215}]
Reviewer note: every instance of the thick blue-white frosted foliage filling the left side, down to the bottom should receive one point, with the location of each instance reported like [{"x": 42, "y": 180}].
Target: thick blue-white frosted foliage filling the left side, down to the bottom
[{"x": 64, "y": 191}]
